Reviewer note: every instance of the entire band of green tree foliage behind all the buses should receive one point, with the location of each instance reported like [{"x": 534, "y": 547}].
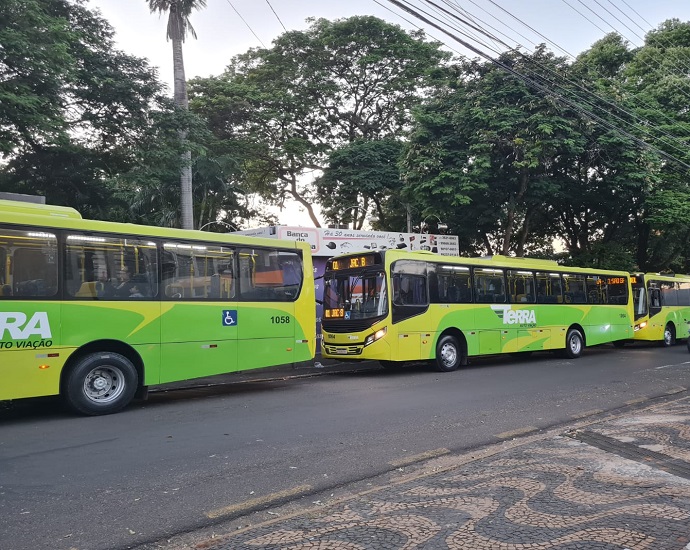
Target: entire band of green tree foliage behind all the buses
[{"x": 361, "y": 117}]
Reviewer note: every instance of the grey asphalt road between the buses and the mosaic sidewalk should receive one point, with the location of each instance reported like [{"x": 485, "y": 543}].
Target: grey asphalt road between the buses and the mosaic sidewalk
[{"x": 188, "y": 458}]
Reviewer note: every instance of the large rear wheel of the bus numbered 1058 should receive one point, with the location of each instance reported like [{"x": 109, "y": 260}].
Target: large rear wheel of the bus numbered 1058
[{"x": 100, "y": 383}]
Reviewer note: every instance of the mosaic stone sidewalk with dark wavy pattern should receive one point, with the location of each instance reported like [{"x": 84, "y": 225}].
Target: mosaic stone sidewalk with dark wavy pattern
[{"x": 622, "y": 483}]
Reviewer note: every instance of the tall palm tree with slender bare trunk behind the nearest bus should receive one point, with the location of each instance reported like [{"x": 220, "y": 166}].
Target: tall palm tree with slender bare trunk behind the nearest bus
[{"x": 178, "y": 26}]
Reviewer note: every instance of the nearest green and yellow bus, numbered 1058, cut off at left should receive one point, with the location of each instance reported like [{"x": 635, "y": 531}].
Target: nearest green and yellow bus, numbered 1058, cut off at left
[{"x": 97, "y": 311}]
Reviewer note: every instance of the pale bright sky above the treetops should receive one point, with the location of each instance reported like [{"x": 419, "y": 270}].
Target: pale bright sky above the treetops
[{"x": 229, "y": 27}]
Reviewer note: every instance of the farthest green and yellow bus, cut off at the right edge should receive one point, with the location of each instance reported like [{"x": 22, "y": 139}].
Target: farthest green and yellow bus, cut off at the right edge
[{"x": 662, "y": 306}]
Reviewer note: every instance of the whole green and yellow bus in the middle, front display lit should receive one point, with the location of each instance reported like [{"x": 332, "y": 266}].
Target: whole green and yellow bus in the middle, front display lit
[{"x": 395, "y": 306}]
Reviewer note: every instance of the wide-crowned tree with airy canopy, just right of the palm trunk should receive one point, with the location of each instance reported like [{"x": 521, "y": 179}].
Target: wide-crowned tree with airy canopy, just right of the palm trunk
[{"x": 313, "y": 92}]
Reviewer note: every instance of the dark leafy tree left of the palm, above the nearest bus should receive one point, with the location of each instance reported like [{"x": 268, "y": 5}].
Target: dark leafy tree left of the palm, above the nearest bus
[{"x": 72, "y": 107}]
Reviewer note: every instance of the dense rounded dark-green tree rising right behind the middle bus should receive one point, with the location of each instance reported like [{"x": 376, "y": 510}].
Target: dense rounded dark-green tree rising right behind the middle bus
[{"x": 480, "y": 153}]
